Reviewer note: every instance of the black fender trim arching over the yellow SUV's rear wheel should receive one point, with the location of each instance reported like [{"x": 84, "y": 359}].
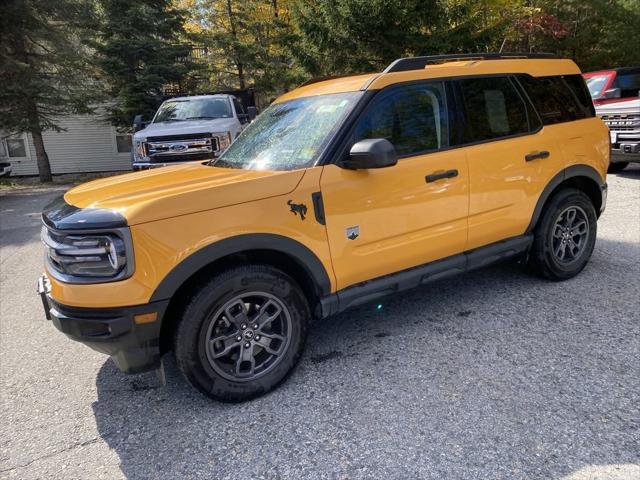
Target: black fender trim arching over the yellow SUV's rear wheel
[{"x": 582, "y": 177}]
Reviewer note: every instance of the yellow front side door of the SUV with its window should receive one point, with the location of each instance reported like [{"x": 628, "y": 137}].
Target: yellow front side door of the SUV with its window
[{"x": 381, "y": 221}]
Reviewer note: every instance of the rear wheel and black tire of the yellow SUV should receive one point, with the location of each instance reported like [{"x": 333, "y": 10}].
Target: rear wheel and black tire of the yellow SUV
[{"x": 554, "y": 242}]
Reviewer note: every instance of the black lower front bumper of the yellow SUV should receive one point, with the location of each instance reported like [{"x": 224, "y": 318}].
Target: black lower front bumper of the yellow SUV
[{"x": 126, "y": 334}]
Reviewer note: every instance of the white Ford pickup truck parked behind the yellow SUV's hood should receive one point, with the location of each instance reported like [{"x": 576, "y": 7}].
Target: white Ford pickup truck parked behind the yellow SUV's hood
[{"x": 189, "y": 128}]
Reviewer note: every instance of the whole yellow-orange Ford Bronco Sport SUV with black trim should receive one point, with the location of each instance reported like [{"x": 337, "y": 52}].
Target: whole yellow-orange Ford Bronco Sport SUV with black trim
[{"x": 342, "y": 191}]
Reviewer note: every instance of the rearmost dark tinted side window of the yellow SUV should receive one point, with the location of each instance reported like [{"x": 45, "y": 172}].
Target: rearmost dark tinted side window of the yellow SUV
[{"x": 560, "y": 98}]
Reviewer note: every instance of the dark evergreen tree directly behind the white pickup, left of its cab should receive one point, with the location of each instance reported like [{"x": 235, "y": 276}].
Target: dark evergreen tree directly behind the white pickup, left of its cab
[{"x": 140, "y": 48}]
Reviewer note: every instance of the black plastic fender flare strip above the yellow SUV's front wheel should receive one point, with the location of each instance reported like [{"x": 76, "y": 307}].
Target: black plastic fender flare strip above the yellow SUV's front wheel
[{"x": 304, "y": 257}]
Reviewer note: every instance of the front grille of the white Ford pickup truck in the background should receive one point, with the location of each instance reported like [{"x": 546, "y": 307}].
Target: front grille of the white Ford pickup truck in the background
[{"x": 179, "y": 148}]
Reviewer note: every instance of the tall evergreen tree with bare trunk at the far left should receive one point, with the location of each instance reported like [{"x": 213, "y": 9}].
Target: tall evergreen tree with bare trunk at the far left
[{"x": 44, "y": 72}]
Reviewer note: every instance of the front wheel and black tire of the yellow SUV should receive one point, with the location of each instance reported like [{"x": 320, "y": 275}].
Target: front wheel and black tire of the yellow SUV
[{"x": 228, "y": 298}]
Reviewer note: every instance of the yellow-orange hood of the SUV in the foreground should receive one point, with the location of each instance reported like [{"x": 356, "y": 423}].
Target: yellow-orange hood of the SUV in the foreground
[{"x": 179, "y": 190}]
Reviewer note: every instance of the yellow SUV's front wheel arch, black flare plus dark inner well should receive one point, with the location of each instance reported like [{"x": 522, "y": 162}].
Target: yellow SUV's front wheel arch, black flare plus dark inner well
[{"x": 277, "y": 251}]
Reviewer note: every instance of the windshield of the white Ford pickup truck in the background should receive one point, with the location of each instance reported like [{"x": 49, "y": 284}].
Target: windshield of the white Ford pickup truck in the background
[{"x": 193, "y": 109}]
